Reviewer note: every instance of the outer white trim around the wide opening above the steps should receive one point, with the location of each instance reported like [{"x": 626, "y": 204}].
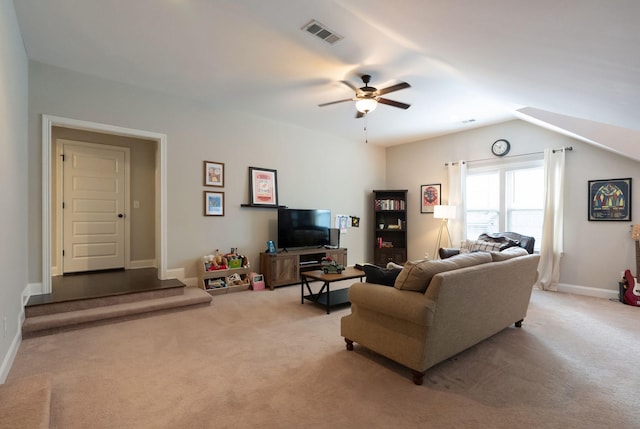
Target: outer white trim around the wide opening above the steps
[{"x": 48, "y": 122}]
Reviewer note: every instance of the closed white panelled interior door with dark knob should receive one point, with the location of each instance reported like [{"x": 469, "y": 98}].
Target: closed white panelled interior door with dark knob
[{"x": 93, "y": 212}]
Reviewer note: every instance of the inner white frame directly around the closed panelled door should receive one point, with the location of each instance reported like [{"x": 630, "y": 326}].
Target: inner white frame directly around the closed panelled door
[{"x": 59, "y": 200}]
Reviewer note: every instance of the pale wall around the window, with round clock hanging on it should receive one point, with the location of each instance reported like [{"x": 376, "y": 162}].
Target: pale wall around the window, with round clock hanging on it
[{"x": 595, "y": 252}]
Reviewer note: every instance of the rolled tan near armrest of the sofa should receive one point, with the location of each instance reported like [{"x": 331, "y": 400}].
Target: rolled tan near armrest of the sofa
[{"x": 405, "y": 305}]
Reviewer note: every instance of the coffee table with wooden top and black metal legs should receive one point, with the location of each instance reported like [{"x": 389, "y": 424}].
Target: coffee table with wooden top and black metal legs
[{"x": 326, "y": 296}]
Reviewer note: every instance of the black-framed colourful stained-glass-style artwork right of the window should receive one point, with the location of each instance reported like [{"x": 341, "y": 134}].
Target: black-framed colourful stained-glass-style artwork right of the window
[{"x": 610, "y": 199}]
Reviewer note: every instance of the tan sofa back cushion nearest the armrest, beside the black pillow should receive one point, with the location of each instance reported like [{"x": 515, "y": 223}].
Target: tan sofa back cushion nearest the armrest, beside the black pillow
[{"x": 416, "y": 276}]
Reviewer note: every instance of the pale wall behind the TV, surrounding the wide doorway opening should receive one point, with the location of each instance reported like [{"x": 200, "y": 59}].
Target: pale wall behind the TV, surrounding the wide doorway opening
[{"x": 315, "y": 170}]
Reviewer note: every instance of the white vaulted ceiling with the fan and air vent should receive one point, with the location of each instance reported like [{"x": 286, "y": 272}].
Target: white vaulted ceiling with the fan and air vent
[{"x": 568, "y": 62}]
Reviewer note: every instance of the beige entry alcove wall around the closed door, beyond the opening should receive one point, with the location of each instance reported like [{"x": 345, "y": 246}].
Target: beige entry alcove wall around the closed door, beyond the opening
[{"x": 142, "y": 187}]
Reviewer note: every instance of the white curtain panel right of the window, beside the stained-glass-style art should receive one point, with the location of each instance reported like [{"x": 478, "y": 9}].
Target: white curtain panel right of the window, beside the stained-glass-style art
[{"x": 552, "y": 227}]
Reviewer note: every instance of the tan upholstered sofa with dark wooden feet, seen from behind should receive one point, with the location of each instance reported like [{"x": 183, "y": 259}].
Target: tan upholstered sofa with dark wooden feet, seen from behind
[{"x": 475, "y": 299}]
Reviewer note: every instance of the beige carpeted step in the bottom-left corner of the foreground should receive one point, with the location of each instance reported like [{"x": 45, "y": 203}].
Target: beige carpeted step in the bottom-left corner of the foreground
[{"x": 25, "y": 403}]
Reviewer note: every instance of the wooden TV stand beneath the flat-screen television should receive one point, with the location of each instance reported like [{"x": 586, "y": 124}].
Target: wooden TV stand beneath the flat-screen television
[{"x": 284, "y": 267}]
